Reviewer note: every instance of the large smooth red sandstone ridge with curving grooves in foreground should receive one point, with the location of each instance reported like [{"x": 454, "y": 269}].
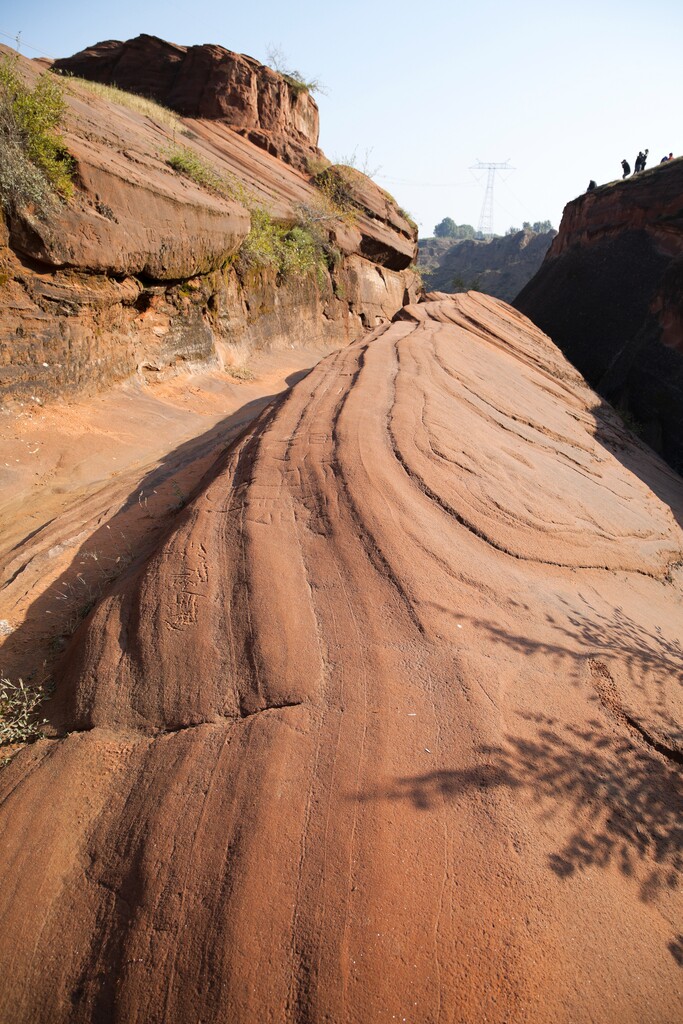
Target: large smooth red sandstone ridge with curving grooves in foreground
[{"x": 388, "y": 729}]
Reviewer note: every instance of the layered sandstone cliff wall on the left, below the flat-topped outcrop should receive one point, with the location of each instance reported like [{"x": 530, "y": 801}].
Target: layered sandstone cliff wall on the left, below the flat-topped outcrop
[{"x": 138, "y": 274}]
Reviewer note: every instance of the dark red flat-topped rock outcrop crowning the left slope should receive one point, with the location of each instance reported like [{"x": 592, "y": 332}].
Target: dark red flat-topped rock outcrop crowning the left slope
[{"x": 209, "y": 82}]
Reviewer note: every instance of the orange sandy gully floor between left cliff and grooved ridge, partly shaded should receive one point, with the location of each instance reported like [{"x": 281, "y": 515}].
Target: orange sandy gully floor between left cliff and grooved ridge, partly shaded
[{"x": 88, "y": 485}]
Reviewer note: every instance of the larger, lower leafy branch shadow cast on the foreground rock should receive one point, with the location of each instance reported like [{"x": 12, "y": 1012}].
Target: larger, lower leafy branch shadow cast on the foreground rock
[{"x": 626, "y": 803}]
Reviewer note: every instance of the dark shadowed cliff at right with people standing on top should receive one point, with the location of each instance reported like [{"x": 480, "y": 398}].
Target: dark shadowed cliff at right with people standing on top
[{"x": 611, "y": 295}]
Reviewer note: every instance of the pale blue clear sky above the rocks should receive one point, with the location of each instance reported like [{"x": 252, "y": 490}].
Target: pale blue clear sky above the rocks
[{"x": 419, "y": 94}]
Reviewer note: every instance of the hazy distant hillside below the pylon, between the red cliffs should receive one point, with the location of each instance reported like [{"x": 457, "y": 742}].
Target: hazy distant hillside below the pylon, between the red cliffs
[{"x": 500, "y": 267}]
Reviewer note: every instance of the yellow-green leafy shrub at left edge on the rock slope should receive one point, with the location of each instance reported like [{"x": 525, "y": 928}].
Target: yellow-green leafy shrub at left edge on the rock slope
[{"x": 34, "y": 161}]
